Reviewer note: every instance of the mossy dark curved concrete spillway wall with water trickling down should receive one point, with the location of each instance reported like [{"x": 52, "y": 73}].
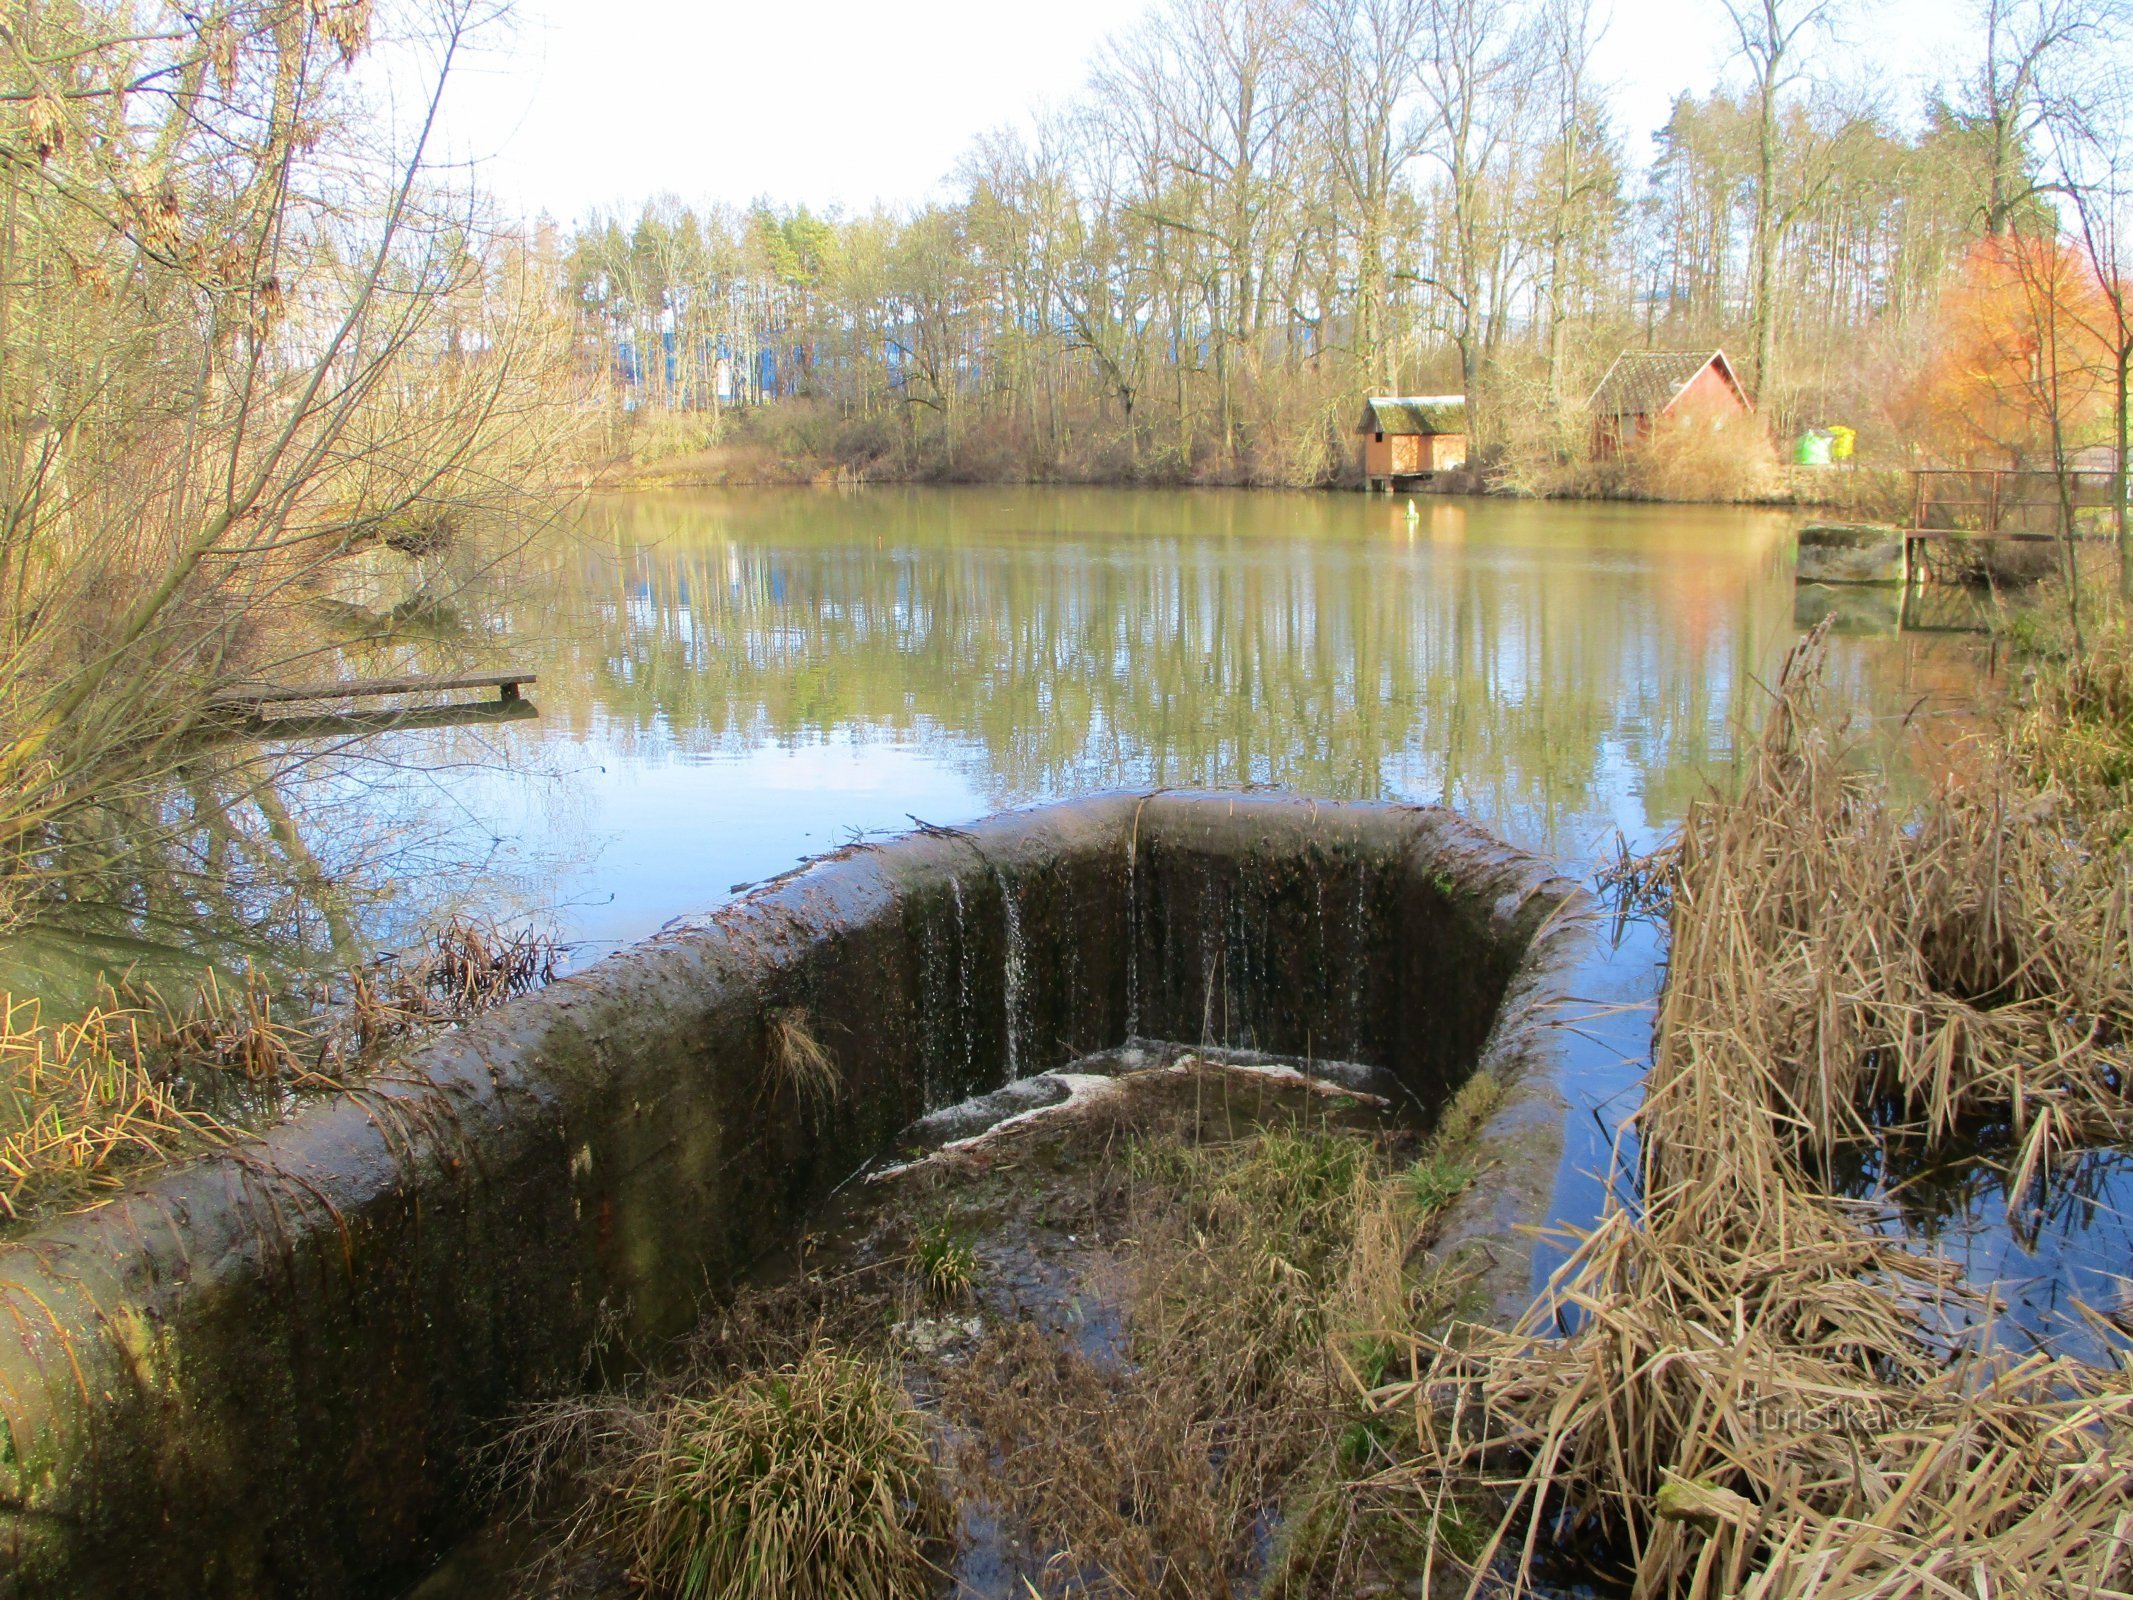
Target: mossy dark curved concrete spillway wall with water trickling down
[{"x": 263, "y": 1375}]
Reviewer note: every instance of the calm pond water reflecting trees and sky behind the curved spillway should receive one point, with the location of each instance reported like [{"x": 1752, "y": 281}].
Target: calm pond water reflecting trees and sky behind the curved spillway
[{"x": 735, "y": 682}]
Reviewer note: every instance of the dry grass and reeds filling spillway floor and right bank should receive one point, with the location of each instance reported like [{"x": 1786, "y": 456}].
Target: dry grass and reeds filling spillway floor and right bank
[{"x": 1739, "y": 1381}]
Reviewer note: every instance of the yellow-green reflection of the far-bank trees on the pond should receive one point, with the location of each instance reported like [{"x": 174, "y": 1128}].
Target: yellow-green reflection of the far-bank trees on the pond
[{"x": 1217, "y": 641}]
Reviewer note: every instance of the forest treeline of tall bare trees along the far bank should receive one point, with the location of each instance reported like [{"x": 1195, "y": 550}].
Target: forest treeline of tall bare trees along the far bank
[{"x": 1262, "y": 210}]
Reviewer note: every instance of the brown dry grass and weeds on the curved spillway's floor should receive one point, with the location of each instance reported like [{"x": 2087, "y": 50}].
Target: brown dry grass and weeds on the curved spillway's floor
[{"x": 1255, "y": 1266}]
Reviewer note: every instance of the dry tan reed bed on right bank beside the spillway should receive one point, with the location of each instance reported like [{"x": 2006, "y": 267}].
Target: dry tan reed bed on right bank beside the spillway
[{"x": 1759, "y": 1392}]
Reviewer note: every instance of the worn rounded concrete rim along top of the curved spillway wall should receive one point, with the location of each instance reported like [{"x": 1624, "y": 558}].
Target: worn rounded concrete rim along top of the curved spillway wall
[{"x": 95, "y": 1298}]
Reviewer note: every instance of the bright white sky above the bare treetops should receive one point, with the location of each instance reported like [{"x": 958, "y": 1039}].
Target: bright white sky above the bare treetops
[{"x": 586, "y": 106}]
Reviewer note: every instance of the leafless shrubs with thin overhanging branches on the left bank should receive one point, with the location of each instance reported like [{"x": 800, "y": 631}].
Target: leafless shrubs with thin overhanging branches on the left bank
[{"x": 242, "y": 336}]
